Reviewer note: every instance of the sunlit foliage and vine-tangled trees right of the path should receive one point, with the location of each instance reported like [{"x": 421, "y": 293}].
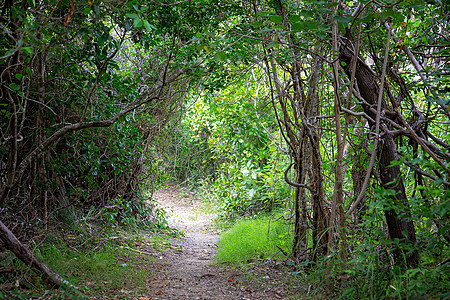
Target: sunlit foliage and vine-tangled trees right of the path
[{"x": 300, "y": 107}]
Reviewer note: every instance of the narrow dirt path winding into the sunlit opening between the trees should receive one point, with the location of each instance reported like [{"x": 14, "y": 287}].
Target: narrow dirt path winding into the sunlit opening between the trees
[{"x": 187, "y": 272}]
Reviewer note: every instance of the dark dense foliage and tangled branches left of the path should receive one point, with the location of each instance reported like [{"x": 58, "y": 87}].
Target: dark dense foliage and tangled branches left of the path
[{"x": 68, "y": 68}]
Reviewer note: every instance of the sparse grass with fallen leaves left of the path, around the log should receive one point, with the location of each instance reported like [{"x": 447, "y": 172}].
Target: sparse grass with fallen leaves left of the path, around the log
[{"x": 118, "y": 269}]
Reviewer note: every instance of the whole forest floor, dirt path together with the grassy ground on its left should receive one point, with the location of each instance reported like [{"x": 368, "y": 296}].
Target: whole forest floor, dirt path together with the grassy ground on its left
[{"x": 154, "y": 266}]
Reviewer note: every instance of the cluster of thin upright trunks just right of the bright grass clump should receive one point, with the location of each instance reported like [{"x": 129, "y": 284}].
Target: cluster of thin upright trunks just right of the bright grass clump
[{"x": 303, "y": 119}]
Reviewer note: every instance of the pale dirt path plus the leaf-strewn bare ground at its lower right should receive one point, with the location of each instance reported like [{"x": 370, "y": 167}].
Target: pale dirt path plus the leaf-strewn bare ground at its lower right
[{"x": 186, "y": 270}]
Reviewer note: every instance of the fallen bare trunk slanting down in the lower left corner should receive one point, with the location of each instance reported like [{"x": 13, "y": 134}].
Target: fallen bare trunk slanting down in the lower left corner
[{"x": 24, "y": 254}]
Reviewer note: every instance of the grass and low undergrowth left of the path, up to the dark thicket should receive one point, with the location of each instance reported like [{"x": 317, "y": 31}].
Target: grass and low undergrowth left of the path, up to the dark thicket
[{"x": 105, "y": 254}]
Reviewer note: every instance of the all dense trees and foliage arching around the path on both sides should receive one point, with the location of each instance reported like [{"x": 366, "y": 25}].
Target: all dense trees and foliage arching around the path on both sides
[{"x": 334, "y": 116}]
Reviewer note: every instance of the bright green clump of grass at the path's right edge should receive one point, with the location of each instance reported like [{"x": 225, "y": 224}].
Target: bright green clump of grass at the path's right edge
[{"x": 253, "y": 239}]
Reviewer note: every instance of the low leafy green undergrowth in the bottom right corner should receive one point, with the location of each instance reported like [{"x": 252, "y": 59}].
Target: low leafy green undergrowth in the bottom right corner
[{"x": 366, "y": 276}]
